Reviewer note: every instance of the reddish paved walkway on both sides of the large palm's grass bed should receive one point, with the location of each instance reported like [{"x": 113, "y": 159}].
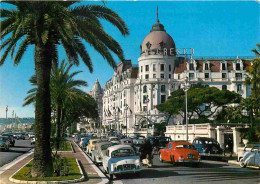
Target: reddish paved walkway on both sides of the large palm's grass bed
[{"x": 91, "y": 176}]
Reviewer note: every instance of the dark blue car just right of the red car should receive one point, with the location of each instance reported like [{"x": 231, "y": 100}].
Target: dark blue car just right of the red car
[{"x": 207, "y": 146}]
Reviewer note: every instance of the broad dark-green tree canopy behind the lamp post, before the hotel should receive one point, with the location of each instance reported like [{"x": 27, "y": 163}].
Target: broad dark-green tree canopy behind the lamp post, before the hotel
[{"x": 197, "y": 97}]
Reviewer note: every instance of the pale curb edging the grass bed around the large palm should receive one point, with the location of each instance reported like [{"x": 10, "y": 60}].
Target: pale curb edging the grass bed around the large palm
[{"x": 48, "y": 182}]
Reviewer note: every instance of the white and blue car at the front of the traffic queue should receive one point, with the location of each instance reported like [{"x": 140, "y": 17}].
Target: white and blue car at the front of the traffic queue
[{"x": 120, "y": 159}]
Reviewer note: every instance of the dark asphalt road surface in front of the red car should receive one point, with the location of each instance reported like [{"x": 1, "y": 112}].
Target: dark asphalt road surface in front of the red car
[{"x": 213, "y": 172}]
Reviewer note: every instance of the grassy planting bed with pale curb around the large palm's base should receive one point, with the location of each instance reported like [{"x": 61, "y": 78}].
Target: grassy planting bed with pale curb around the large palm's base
[{"x": 66, "y": 170}]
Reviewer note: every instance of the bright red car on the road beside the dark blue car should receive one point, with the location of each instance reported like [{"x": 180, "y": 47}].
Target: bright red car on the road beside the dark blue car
[{"x": 179, "y": 151}]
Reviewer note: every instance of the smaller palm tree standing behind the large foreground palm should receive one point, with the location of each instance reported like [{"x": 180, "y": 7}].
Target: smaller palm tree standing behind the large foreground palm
[{"x": 64, "y": 91}]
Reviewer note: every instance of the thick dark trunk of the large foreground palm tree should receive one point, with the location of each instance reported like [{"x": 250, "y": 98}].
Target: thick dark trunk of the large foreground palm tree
[{"x": 42, "y": 163}]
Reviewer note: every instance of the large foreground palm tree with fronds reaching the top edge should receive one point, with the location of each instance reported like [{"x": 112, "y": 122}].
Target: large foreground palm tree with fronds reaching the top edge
[{"x": 46, "y": 25}]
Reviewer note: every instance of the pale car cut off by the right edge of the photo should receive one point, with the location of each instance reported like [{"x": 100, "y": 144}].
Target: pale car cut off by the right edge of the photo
[{"x": 251, "y": 158}]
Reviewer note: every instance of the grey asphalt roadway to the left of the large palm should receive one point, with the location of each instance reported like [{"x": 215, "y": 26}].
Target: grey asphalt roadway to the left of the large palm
[{"x": 20, "y": 147}]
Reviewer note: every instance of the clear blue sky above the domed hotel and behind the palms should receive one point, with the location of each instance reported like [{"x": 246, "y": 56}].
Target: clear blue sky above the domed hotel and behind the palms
[{"x": 211, "y": 28}]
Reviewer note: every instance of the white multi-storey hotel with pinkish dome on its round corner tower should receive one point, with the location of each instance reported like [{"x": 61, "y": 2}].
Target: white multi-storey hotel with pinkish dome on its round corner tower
[{"x": 130, "y": 96}]
